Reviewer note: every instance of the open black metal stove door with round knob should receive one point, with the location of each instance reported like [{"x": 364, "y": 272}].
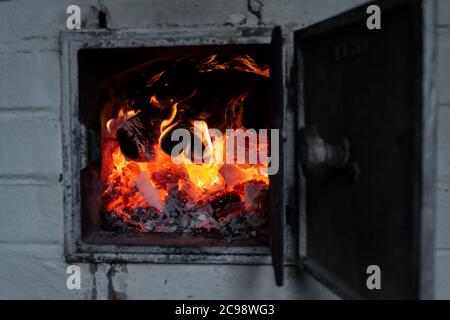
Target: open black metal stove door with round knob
[{"x": 366, "y": 114}]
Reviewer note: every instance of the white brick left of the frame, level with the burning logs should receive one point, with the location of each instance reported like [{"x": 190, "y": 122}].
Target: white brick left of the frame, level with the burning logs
[{"x": 30, "y": 147}]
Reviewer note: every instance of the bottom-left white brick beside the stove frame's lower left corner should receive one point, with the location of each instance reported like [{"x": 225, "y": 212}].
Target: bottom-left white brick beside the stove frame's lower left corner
[{"x": 30, "y": 271}]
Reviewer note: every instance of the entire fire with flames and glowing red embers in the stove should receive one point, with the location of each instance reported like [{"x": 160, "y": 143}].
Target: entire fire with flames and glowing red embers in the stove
[{"x": 151, "y": 184}]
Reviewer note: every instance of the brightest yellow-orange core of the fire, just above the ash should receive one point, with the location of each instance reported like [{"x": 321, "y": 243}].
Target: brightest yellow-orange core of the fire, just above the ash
[{"x": 204, "y": 176}]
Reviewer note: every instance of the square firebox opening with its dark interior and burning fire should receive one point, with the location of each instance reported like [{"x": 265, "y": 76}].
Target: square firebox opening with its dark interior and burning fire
[{"x": 131, "y": 100}]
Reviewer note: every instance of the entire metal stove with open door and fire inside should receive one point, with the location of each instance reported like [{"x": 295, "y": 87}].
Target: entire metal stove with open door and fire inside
[{"x": 351, "y": 137}]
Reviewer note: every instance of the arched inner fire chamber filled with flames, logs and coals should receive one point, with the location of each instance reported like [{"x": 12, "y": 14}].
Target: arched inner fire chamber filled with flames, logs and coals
[{"x": 144, "y": 190}]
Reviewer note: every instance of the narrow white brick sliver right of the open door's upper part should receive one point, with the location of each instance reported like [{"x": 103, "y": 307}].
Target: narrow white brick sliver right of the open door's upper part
[{"x": 444, "y": 65}]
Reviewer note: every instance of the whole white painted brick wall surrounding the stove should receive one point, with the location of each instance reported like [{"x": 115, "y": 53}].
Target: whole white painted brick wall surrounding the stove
[{"x": 31, "y": 228}]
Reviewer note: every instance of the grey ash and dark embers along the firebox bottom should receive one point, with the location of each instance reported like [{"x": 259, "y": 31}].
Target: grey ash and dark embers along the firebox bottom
[{"x": 222, "y": 215}]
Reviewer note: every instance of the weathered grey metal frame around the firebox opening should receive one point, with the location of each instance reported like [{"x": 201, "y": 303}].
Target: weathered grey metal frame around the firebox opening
[{"x": 76, "y": 149}]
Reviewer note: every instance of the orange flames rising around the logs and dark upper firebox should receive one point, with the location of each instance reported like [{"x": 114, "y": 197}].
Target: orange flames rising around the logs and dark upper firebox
[{"x": 198, "y": 180}]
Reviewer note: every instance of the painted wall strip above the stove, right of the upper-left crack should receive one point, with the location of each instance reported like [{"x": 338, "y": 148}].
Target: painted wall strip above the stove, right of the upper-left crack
[{"x": 143, "y": 13}]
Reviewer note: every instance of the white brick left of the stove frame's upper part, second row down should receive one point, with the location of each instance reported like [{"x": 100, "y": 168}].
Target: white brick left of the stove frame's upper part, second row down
[{"x": 30, "y": 79}]
